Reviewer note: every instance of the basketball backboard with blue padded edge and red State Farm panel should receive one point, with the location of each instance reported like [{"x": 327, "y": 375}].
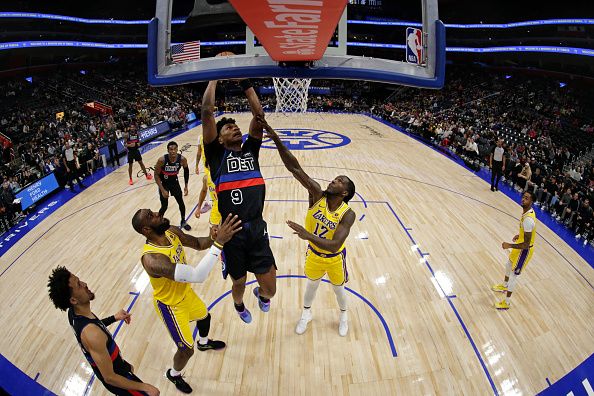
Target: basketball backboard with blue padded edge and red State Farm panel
[{"x": 293, "y": 32}]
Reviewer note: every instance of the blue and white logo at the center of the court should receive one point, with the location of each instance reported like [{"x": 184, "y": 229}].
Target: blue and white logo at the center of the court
[{"x": 308, "y": 139}]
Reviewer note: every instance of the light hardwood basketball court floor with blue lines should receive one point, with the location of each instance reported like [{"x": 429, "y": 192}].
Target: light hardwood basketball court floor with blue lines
[{"x": 413, "y": 195}]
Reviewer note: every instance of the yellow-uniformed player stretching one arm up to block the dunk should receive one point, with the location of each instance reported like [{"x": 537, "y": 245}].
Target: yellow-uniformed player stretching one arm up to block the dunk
[{"x": 327, "y": 225}]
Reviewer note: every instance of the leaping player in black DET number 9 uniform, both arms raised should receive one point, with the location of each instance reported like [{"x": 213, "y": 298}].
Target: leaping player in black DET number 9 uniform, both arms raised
[{"x": 235, "y": 170}]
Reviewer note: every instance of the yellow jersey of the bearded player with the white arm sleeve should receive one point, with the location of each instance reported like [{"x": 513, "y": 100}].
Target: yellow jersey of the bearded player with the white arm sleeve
[{"x": 168, "y": 291}]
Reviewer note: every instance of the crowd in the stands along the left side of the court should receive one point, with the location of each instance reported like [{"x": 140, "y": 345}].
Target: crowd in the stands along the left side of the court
[{"x": 42, "y": 117}]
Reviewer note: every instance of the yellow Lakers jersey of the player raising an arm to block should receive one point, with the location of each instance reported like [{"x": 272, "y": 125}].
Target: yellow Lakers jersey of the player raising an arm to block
[{"x": 322, "y": 222}]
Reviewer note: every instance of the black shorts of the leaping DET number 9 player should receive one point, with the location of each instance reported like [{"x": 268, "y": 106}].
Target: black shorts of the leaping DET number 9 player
[{"x": 248, "y": 250}]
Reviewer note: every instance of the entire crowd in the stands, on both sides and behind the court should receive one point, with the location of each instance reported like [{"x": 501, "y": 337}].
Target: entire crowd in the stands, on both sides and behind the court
[{"x": 545, "y": 128}]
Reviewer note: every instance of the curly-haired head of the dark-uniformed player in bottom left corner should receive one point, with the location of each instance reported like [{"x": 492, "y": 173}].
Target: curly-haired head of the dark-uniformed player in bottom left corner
[{"x": 66, "y": 290}]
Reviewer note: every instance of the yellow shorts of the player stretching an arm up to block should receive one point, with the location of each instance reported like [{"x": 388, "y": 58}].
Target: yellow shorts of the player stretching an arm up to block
[{"x": 316, "y": 266}]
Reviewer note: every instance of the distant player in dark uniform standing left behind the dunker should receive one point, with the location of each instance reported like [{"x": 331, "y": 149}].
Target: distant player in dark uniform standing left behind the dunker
[{"x": 167, "y": 170}]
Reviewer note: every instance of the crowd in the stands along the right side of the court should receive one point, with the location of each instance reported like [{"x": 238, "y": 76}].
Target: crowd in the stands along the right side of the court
[{"x": 546, "y": 131}]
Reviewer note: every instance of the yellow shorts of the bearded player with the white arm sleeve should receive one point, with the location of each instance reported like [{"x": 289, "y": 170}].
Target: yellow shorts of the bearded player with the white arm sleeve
[{"x": 177, "y": 318}]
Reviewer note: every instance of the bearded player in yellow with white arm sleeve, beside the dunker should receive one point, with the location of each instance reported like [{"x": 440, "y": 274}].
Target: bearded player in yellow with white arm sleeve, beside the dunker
[{"x": 164, "y": 260}]
